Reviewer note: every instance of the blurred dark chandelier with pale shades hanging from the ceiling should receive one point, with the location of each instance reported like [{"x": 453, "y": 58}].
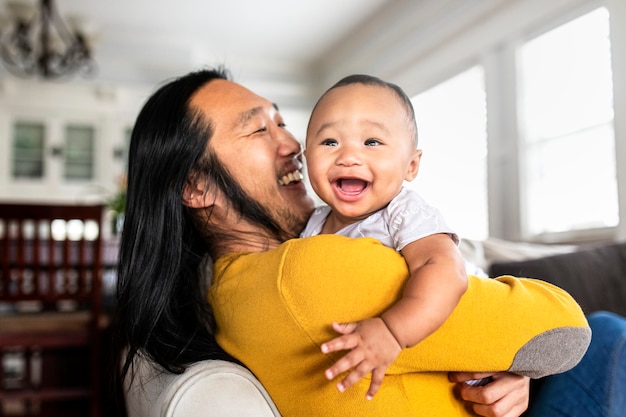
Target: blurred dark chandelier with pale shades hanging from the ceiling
[{"x": 35, "y": 41}]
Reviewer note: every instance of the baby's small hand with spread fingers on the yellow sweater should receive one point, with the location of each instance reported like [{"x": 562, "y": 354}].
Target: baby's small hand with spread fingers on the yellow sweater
[{"x": 372, "y": 348}]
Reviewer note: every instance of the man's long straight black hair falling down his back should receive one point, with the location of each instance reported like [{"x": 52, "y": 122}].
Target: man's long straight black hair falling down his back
[{"x": 162, "y": 313}]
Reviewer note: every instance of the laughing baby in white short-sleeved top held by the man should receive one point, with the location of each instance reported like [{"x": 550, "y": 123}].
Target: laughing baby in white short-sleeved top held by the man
[{"x": 361, "y": 145}]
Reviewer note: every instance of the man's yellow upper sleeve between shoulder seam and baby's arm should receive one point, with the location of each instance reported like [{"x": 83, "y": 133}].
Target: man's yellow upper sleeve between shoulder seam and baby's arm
[{"x": 330, "y": 278}]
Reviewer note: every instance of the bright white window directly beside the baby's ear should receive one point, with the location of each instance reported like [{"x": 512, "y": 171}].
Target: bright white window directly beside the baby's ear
[{"x": 451, "y": 121}]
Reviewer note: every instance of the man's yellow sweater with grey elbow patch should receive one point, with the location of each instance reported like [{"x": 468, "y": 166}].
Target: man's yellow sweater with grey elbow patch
[{"x": 274, "y": 310}]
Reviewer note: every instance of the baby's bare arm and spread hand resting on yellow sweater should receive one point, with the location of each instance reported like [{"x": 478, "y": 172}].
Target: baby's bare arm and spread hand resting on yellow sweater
[{"x": 437, "y": 282}]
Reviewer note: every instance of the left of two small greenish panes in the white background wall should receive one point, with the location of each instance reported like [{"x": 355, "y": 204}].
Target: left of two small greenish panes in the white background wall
[{"x": 28, "y": 150}]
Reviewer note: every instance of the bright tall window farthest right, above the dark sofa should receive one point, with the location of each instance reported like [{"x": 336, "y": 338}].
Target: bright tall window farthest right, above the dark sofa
[{"x": 568, "y": 144}]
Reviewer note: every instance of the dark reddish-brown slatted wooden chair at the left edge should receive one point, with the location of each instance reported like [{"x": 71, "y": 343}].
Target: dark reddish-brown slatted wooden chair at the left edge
[{"x": 50, "y": 310}]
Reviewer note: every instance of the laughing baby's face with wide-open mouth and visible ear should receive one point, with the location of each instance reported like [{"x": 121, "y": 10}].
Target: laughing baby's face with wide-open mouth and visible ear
[{"x": 359, "y": 149}]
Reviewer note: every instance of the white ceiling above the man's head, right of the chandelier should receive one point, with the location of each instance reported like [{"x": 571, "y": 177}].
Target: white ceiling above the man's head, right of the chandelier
[{"x": 145, "y": 41}]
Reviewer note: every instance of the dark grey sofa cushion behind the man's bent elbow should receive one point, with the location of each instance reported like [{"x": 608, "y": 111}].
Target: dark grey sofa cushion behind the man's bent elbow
[{"x": 595, "y": 277}]
